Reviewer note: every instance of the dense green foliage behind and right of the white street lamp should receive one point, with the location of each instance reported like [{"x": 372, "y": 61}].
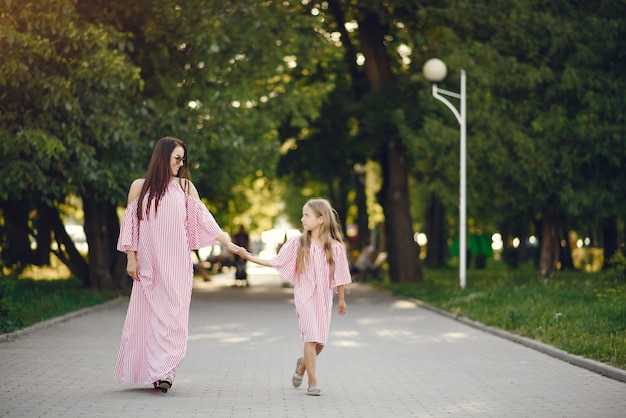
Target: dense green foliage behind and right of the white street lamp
[{"x": 538, "y": 140}]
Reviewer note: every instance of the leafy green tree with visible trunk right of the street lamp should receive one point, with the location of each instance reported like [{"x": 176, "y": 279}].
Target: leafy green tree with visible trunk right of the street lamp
[{"x": 538, "y": 77}]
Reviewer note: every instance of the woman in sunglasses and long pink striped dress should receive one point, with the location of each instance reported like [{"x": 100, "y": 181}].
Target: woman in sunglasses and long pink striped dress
[{"x": 164, "y": 221}]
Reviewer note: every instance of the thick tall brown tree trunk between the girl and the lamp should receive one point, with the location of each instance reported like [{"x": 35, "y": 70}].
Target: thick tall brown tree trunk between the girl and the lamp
[{"x": 402, "y": 254}]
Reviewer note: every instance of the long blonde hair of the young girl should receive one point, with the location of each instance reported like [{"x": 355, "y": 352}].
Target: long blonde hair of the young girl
[{"x": 330, "y": 231}]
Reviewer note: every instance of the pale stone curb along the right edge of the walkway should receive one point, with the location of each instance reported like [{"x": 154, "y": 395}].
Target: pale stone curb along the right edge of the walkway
[{"x": 591, "y": 365}]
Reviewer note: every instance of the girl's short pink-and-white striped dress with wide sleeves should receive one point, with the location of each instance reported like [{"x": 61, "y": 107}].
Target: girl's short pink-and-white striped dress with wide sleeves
[{"x": 313, "y": 291}]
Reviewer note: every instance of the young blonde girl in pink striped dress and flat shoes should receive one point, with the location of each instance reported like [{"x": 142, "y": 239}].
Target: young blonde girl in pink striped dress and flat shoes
[{"x": 316, "y": 263}]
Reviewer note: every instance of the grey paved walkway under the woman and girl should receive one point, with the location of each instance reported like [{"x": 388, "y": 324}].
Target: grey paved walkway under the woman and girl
[{"x": 386, "y": 357}]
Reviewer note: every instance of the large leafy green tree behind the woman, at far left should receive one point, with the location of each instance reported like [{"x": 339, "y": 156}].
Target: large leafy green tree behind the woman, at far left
[{"x": 205, "y": 78}]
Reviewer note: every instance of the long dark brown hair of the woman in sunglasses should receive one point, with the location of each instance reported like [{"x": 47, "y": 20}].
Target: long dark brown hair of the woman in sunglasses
[{"x": 159, "y": 173}]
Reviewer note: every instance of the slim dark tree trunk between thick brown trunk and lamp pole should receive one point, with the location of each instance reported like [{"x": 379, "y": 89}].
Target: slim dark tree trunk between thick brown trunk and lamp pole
[{"x": 435, "y": 230}]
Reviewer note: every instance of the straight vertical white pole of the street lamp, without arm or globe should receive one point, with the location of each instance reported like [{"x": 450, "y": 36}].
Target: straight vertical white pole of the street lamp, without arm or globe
[{"x": 462, "y": 187}]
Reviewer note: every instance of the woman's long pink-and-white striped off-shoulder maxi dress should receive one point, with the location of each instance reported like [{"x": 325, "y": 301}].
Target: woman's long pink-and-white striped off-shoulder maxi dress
[{"x": 154, "y": 337}]
